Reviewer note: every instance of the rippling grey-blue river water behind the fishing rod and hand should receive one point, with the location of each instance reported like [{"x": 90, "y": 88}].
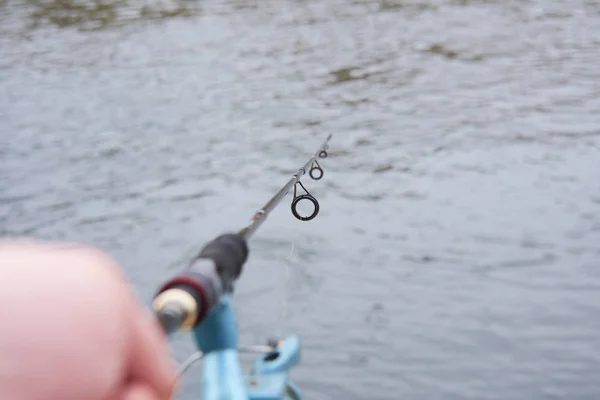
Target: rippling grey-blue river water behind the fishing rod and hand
[{"x": 457, "y": 251}]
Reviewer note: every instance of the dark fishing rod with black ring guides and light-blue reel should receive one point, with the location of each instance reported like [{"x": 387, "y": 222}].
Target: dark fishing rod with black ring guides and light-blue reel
[{"x": 199, "y": 299}]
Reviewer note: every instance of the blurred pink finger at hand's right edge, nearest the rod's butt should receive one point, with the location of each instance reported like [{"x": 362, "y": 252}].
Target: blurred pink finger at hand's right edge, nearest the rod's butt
[{"x": 150, "y": 359}]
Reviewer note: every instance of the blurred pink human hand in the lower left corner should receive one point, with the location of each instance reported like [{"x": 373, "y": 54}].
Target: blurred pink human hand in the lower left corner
[{"x": 72, "y": 329}]
